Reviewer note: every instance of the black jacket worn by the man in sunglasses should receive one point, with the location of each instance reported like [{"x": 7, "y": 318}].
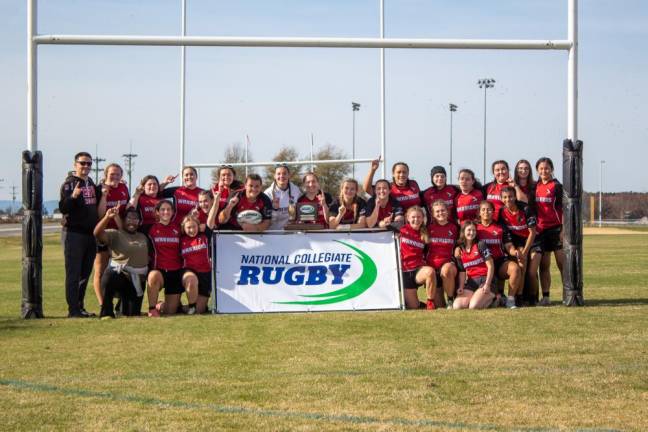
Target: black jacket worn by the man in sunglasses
[{"x": 79, "y": 214}]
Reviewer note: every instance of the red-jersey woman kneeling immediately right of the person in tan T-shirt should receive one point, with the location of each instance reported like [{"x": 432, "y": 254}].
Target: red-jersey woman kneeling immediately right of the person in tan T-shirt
[{"x": 166, "y": 266}]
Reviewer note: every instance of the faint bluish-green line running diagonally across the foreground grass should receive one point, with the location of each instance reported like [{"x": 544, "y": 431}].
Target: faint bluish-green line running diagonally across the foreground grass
[{"x": 163, "y": 403}]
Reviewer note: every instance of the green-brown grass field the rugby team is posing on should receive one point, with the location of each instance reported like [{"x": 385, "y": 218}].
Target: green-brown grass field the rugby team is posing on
[{"x": 534, "y": 369}]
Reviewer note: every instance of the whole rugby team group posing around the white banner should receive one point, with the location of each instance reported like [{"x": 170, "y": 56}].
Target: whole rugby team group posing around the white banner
[{"x": 461, "y": 242}]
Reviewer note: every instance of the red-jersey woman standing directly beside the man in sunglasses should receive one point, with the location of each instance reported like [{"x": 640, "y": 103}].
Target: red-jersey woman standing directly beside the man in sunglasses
[{"x": 114, "y": 193}]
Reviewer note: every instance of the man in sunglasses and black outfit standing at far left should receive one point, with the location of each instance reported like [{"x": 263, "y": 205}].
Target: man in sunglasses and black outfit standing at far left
[{"x": 79, "y": 205}]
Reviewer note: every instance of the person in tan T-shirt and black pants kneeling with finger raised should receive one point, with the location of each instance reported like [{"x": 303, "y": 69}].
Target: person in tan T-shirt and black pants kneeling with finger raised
[{"x": 126, "y": 271}]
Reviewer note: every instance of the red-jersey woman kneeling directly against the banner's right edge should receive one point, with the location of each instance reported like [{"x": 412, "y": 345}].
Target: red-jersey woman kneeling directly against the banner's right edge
[{"x": 413, "y": 237}]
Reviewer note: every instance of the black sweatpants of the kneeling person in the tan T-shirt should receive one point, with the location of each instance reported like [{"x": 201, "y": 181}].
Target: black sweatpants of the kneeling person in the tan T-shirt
[{"x": 120, "y": 284}]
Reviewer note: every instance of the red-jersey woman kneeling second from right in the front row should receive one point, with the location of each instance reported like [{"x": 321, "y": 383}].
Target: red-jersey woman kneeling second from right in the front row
[{"x": 498, "y": 240}]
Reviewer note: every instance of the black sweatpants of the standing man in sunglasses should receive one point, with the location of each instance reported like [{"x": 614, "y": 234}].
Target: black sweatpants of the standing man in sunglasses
[{"x": 79, "y": 251}]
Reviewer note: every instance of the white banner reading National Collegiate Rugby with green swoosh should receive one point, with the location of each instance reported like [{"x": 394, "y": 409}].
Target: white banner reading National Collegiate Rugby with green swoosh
[{"x": 292, "y": 272}]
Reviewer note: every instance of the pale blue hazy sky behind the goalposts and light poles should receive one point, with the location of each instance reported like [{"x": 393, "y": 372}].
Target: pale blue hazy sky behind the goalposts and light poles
[{"x": 107, "y": 97}]
